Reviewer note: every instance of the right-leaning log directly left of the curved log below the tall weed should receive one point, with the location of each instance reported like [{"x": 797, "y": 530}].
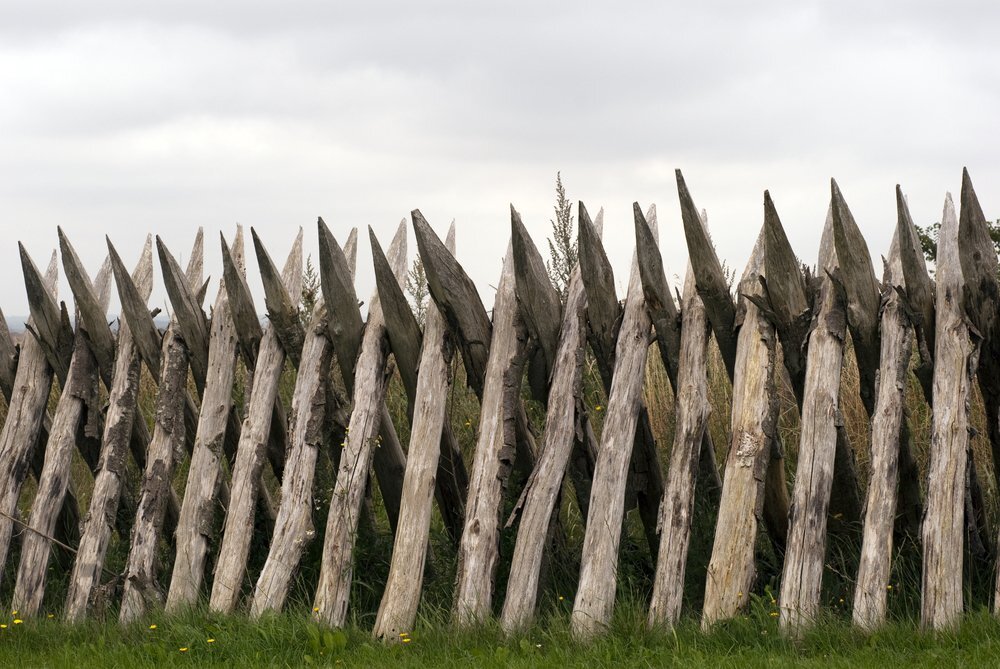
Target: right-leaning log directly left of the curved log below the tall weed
[{"x": 494, "y": 455}]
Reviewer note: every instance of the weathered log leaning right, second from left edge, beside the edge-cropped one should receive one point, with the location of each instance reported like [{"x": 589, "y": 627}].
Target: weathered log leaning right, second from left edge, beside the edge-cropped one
[{"x": 77, "y": 408}]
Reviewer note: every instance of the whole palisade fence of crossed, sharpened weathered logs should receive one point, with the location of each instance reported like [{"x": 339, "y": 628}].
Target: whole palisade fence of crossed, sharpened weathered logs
[{"x": 252, "y": 464}]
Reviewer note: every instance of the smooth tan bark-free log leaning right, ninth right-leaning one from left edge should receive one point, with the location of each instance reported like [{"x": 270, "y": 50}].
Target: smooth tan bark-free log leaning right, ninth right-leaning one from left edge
[{"x": 398, "y": 609}]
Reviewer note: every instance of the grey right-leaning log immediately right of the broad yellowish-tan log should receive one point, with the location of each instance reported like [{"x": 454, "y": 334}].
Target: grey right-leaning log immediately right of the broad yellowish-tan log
[{"x": 804, "y": 557}]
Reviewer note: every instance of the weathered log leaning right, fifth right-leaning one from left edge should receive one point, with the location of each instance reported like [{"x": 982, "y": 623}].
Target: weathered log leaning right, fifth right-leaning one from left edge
[{"x": 205, "y": 476}]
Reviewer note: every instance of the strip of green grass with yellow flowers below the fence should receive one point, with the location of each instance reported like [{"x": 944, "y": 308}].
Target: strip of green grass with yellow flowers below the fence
[{"x": 292, "y": 641}]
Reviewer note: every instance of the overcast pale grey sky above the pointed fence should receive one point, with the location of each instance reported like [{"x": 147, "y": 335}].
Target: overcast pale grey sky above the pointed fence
[{"x": 123, "y": 118}]
